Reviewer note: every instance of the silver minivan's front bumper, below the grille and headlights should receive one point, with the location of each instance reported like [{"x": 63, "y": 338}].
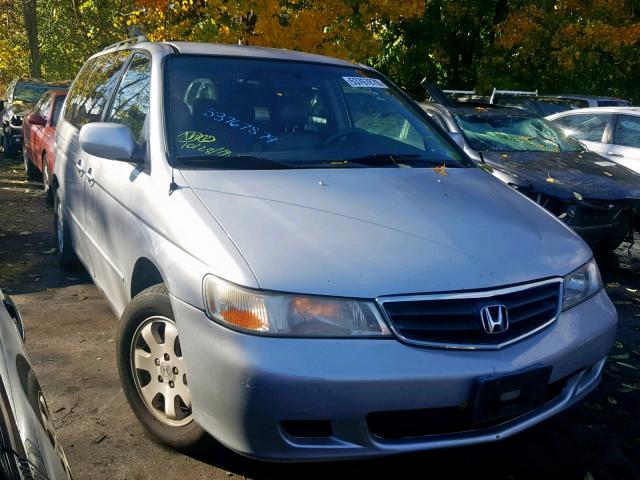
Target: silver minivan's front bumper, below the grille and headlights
[{"x": 244, "y": 387}]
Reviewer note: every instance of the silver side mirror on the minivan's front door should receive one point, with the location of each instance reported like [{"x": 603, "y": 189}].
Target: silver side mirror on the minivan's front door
[{"x": 109, "y": 140}]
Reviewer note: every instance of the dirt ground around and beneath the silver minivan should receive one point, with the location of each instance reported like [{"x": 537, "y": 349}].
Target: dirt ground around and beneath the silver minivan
[{"x": 71, "y": 341}]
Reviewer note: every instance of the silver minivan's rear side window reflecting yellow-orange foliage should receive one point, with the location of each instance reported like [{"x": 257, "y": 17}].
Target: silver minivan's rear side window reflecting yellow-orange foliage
[{"x": 93, "y": 87}]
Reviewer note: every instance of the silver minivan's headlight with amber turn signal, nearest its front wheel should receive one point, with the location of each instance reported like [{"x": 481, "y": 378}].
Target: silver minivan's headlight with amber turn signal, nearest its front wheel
[{"x": 282, "y": 314}]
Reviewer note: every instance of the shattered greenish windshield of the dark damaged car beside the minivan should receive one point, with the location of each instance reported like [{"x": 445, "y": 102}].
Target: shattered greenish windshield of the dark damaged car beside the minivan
[{"x": 514, "y": 132}]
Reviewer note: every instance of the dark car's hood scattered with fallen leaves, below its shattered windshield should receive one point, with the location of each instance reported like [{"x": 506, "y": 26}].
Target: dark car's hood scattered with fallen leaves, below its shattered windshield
[{"x": 563, "y": 174}]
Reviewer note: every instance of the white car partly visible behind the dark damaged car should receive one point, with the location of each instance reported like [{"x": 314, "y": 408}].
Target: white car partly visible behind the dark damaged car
[{"x": 611, "y": 131}]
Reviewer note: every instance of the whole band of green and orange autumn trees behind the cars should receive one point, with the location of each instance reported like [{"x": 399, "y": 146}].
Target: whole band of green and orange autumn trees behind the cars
[{"x": 554, "y": 46}]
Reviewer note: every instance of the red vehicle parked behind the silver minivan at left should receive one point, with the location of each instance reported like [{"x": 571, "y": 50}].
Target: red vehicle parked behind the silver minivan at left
[{"x": 38, "y": 135}]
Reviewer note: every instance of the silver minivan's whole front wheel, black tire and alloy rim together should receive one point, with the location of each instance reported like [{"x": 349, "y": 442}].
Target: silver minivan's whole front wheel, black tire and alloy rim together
[{"x": 146, "y": 329}]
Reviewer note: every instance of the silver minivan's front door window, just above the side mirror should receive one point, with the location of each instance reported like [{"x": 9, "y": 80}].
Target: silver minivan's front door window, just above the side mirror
[{"x": 131, "y": 101}]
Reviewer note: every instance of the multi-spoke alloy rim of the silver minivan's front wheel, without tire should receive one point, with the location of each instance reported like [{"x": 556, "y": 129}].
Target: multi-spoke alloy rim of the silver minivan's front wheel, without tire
[{"x": 159, "y": 371}]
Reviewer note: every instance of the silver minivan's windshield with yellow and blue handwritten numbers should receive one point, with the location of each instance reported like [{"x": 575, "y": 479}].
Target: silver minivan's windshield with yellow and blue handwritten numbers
[{"x": 239, "y": 113}]
